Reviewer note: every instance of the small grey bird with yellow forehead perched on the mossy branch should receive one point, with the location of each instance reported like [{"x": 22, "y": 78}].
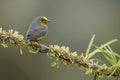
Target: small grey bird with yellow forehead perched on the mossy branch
[{"x": 38, "y": 29}]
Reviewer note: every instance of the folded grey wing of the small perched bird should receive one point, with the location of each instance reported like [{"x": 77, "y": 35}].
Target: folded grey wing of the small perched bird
[{"x": 34, "y": 32}]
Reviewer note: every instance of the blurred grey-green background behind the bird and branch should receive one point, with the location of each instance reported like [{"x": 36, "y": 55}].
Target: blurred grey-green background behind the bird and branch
[{"x": 73, "y": 24}]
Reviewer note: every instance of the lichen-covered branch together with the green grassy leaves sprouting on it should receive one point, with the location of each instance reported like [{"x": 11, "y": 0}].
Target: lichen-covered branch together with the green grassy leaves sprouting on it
[{"x": 63, "y": 55}]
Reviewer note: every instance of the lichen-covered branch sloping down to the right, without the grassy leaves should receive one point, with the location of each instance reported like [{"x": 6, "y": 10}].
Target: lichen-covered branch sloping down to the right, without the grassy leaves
[{"x": 62, "y": 55}]
